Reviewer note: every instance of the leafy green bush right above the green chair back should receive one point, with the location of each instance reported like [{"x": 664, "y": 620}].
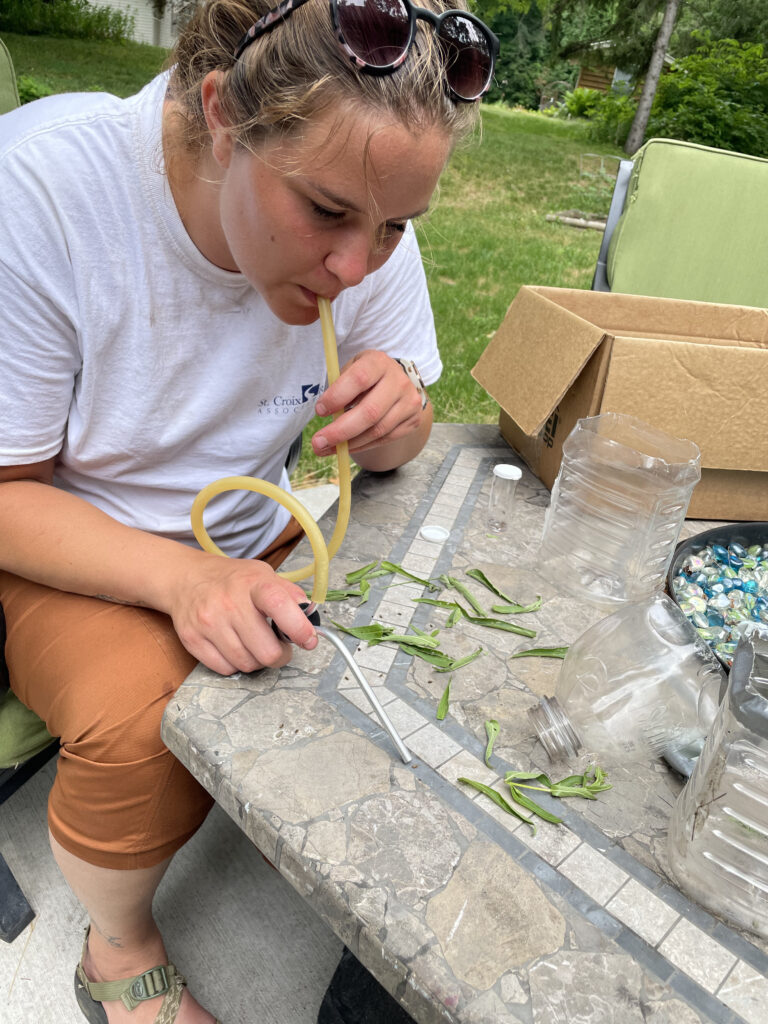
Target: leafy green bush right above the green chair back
[{"x": 717, "y": 97}]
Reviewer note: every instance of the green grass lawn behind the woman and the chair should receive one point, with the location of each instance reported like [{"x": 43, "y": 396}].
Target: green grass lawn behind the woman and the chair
[{"x": 486, "y": 236}]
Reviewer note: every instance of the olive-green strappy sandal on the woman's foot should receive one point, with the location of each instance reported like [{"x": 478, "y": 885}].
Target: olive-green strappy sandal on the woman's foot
[{"x": 157, "y": 982}]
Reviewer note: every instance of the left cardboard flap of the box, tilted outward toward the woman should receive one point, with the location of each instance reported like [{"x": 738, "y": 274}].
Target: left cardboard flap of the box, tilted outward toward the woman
[{"x": 527, "y": 380}]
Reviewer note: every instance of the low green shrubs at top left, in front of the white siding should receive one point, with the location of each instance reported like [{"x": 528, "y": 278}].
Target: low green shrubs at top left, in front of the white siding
[{"x": 72, "y": 19}]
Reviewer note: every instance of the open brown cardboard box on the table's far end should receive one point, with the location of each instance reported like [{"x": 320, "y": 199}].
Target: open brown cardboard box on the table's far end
[{"x": 697, "y": 370}]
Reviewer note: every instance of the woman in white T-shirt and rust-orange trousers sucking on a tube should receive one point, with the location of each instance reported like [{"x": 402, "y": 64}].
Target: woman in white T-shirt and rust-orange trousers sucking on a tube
[{"x": 161, "y": 262}]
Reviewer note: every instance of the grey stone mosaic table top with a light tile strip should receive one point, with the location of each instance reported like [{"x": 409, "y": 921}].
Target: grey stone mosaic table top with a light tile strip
[{"x": 458, "y": 909}]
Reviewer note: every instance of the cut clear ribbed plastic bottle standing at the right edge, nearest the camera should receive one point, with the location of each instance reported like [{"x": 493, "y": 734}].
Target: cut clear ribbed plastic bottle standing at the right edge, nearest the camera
[{"x": 718, "y": 840}]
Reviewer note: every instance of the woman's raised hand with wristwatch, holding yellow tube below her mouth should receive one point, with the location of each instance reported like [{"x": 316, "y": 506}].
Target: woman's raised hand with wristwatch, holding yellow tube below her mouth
[{"x": 381, "y": 408}]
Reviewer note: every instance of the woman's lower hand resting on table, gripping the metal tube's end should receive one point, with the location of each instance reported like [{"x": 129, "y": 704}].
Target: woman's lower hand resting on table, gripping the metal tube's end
[{"x": 221, "y": 608}]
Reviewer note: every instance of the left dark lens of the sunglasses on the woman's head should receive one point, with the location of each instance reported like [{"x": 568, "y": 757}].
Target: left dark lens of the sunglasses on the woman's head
[{"x": 376, "y": 31}]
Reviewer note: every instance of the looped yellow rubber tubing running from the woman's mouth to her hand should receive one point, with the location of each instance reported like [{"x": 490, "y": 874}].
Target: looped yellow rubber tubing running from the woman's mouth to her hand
[{"x": 323, "y": 554}]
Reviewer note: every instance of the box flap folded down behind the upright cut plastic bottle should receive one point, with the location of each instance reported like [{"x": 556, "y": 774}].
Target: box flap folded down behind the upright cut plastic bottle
[{"x": 713, "y": 396}]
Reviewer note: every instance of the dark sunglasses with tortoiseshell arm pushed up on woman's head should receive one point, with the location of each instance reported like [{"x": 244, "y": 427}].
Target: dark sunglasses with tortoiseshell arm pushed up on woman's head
[{"x": 377, "y": 36}]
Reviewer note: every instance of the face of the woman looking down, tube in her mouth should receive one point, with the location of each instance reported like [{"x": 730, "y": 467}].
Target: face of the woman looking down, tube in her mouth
[{"x": 314, "y": 215}]
